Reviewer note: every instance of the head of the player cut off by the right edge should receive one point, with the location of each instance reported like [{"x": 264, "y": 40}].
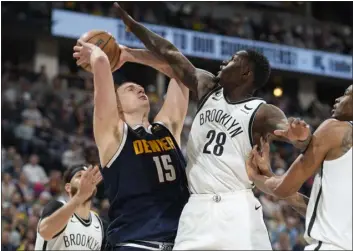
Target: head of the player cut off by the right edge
[{"x": 343, "y": 107}]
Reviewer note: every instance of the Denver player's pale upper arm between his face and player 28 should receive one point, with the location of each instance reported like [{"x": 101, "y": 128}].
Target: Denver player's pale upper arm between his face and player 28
[{"x": 174, "y": 109}]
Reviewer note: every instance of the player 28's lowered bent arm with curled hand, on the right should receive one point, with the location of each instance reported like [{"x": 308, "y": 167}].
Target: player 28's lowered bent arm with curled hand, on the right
[{"x": 270, "y": 122}]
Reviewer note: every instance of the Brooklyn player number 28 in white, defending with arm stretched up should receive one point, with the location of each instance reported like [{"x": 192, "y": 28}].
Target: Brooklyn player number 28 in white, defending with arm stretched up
[{"x": 222, "y": 212}]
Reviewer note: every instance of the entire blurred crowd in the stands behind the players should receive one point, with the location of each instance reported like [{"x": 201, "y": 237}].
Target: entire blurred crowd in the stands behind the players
[{"x": 46, "y": 124}]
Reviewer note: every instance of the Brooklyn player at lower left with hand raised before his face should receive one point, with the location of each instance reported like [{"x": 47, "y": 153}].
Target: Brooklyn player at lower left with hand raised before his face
[{"x": 72, "y": 225}]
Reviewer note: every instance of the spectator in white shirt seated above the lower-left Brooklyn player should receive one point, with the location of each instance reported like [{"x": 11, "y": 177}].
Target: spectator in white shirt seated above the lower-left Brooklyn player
[{"x": 34, "y": 172}]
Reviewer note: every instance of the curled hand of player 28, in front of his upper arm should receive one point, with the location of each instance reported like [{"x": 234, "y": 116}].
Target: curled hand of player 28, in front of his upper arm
[{"x": 298, "y": 130}]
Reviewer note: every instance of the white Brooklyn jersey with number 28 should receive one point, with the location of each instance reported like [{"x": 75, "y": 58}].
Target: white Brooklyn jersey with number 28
[{"x": 219, "y": 142}]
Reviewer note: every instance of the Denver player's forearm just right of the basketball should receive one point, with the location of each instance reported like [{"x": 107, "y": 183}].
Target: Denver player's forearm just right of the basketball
[{"x": 147, "y": 58}]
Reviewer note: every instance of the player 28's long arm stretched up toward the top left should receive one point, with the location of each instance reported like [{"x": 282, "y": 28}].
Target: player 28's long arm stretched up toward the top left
[{"x": 183, "y": 69}]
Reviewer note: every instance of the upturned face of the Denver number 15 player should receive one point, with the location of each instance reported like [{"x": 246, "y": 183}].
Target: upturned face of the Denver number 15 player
[{"x": 132, "y": 98}]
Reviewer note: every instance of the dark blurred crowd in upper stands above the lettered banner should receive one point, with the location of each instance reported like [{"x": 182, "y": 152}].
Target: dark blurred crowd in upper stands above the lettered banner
[{"x": 225, "y": 18}]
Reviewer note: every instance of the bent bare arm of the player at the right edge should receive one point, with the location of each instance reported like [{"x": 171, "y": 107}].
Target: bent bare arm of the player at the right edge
[{"x": 305, "y": 165}]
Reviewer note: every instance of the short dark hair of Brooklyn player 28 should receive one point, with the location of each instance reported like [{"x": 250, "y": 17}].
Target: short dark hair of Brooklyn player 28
[{"x": 261, "y": 68}]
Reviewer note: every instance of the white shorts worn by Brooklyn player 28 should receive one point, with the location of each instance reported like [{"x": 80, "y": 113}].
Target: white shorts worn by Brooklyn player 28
[{"x": 228, "y": 221}]
